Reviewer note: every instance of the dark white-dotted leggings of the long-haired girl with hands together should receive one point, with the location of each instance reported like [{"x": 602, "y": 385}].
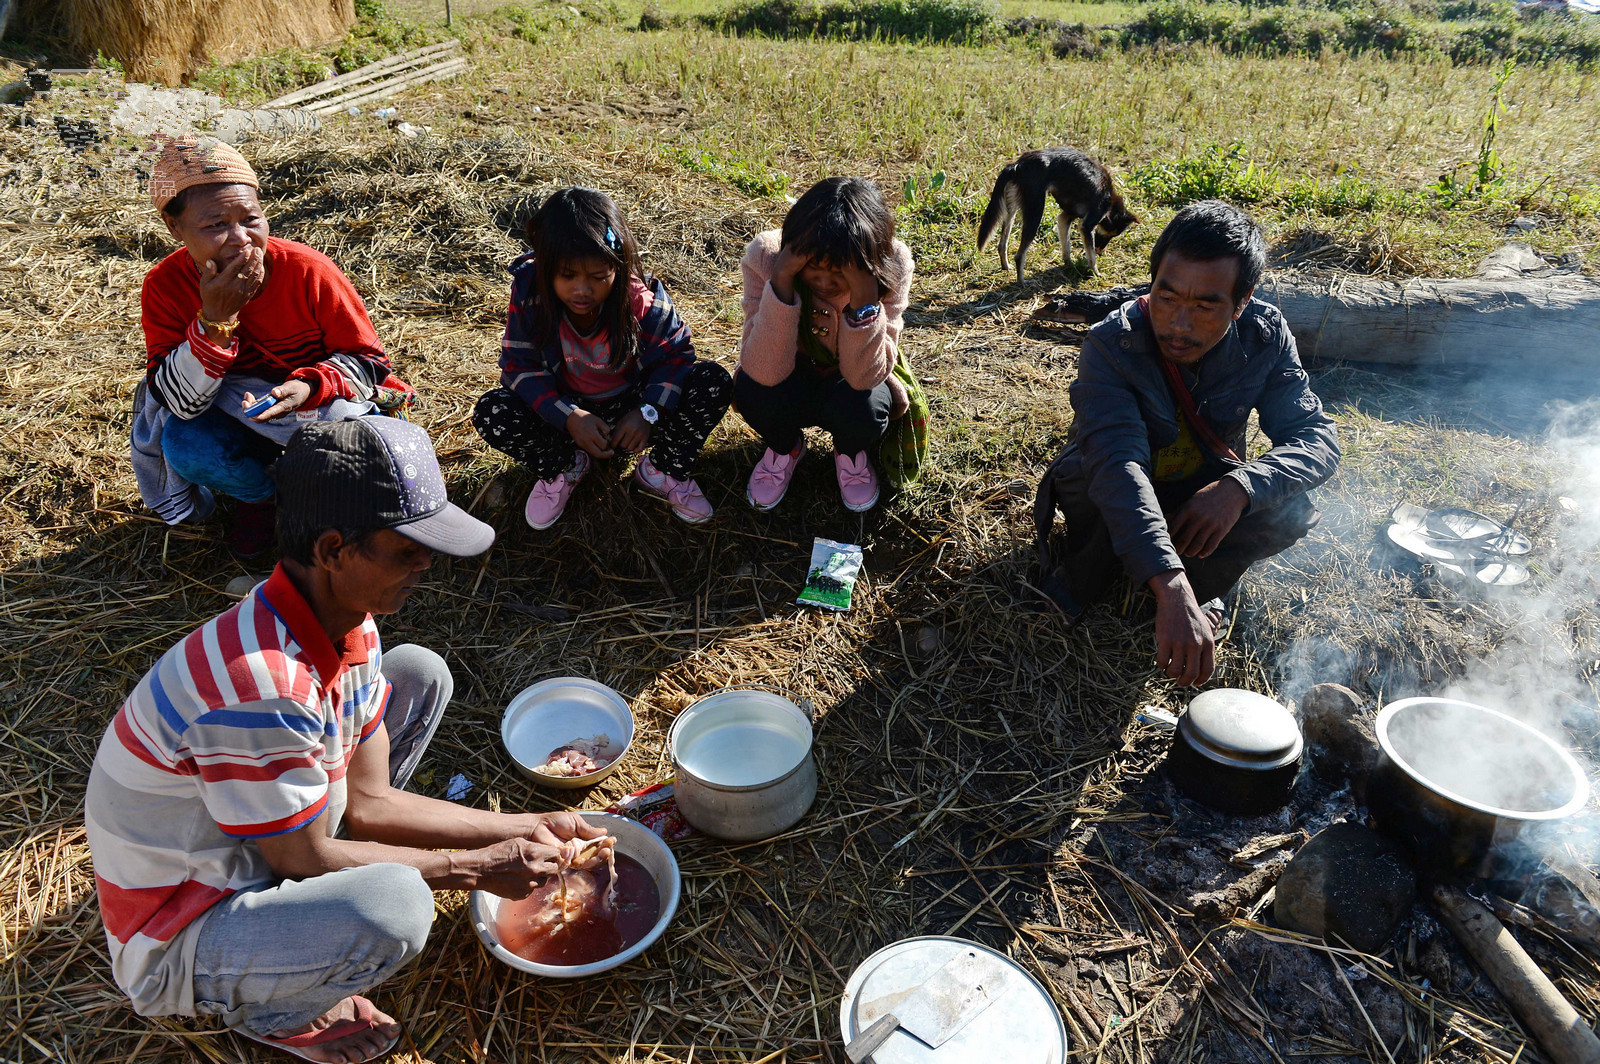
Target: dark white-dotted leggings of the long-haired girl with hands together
[{"x": 511, "y": 426}]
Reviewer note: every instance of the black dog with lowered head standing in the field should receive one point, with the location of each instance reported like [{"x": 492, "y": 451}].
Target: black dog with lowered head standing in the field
[{"x": 1082, "y": 190}]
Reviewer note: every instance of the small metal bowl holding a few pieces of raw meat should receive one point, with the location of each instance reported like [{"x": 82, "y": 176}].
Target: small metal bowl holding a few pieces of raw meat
[{"x": 567, "y": 732}]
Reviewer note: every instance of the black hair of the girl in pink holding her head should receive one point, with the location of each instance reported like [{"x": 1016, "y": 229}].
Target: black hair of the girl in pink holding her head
[{"x": 846, "y": 220}]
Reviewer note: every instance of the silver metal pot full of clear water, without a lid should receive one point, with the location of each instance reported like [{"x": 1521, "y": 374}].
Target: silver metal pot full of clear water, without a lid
[{"x": 743, "y": 764}]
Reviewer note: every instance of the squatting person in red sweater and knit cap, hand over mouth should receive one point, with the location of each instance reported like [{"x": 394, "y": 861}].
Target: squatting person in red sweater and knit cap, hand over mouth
[{"x": 247, "y": 338}]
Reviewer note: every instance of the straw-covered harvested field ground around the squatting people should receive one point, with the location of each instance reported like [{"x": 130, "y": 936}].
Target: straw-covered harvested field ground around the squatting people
[{"x": 985, "y": 772}]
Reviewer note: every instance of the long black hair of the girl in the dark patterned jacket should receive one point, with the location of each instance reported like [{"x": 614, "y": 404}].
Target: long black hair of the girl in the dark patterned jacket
[{"x": 577, "y": 225}]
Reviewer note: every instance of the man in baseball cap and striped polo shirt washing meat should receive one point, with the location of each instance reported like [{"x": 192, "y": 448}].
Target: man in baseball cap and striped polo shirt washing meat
[{"x": 255, "y": 852}]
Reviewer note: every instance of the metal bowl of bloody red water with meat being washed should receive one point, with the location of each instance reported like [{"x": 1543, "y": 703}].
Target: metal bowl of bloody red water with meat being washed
[{"x": 578, "y": 932}]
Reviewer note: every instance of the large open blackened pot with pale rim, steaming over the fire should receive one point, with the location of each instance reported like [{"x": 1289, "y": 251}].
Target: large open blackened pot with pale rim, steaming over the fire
[{"x": 1457, "y": 782}]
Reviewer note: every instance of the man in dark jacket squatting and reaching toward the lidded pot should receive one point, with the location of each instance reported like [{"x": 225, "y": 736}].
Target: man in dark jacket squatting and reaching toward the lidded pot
[{"x": 1154, "y": 473}]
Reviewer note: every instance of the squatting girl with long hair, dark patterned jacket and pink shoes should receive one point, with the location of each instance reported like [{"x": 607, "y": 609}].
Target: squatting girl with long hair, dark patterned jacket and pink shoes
[{"x": 596, "y": 362}]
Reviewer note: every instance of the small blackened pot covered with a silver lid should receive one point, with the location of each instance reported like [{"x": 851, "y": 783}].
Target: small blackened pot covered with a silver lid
[{"x": 1238, "y": 753}]
